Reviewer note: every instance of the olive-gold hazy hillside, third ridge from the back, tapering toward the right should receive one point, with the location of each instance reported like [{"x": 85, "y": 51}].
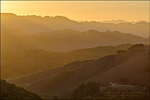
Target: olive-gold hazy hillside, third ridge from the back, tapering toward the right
[{"x": 15, "y": 64}]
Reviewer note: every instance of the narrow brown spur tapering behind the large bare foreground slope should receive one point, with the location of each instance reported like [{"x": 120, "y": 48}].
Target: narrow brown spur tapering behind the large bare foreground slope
[{"x": 27, "y": 79}]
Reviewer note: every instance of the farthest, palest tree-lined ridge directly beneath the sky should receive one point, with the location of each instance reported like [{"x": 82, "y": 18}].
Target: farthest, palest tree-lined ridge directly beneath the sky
[{"x": 34, "y": 24}]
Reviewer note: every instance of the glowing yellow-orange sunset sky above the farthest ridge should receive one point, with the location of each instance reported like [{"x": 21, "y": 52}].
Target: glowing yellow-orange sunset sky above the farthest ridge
[{"x": 81, "y": 10}]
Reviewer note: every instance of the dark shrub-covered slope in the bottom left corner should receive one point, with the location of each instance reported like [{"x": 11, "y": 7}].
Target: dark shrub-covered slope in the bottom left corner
[{"x": 12, "y": 92}]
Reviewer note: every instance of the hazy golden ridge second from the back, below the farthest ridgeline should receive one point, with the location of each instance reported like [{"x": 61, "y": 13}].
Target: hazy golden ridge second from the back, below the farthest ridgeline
[{"x": 64, "y": 40}]
